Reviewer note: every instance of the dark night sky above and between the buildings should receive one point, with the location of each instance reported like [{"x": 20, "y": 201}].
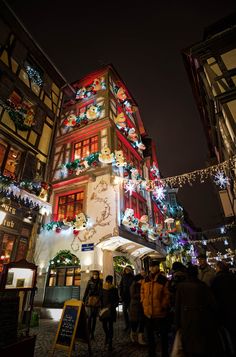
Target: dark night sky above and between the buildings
[{"x": 144, "y": 44}]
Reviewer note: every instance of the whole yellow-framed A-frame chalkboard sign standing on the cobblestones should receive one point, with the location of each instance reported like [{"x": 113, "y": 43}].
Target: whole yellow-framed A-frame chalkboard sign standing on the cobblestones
[{"x": 73, "y": 318}]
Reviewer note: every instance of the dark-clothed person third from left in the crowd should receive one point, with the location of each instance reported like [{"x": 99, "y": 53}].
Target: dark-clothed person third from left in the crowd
[{"x": 125, "y": 284}]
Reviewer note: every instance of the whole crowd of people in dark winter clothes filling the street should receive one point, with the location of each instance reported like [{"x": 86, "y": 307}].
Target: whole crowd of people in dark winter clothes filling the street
[{"x": 191, "y": 313}]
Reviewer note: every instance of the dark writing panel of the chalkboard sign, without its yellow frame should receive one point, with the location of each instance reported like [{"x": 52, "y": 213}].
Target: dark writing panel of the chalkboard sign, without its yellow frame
[{"x": 69, "y": 318}]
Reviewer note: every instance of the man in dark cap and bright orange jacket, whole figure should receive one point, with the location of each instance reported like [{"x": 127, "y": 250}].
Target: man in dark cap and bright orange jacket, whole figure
[{"x": 155, "y": 298}]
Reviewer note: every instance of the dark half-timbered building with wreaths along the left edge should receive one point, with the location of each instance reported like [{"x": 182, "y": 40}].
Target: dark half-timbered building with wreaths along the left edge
[{"x": 30, "y": 101}]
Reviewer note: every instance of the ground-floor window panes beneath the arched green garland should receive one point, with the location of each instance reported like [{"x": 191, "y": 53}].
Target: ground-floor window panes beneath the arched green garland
[{"x": 64, "y": 276}]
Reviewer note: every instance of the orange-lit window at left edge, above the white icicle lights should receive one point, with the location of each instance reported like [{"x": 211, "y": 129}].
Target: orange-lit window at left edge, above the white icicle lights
[{"x": 9, "y": 159}]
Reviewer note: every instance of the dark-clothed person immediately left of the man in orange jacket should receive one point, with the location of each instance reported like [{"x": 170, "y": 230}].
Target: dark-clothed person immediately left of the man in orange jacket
[{"x": 136, "y": 311}]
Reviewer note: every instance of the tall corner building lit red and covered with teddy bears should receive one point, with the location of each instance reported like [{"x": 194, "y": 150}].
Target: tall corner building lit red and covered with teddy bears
[{"x": 100, "y": 144}]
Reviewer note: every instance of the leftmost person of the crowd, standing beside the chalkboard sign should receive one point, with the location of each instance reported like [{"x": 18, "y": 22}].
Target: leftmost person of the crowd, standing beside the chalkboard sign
[{"x": 92, "y": 300}]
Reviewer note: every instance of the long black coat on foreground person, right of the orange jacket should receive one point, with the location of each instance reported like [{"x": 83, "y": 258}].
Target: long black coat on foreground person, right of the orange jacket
[{"x": 195, "y": 315}]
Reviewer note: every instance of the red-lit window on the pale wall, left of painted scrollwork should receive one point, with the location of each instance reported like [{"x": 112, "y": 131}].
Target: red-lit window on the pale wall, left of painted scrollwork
[{"x": 70, "y": 205}]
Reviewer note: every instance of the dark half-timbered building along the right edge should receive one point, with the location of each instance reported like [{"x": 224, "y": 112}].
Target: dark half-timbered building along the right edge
[{"x": 211, "y": 66}]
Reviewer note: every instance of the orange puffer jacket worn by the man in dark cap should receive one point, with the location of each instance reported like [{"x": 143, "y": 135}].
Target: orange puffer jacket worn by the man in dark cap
[{"x": 155, "y": 296}]
